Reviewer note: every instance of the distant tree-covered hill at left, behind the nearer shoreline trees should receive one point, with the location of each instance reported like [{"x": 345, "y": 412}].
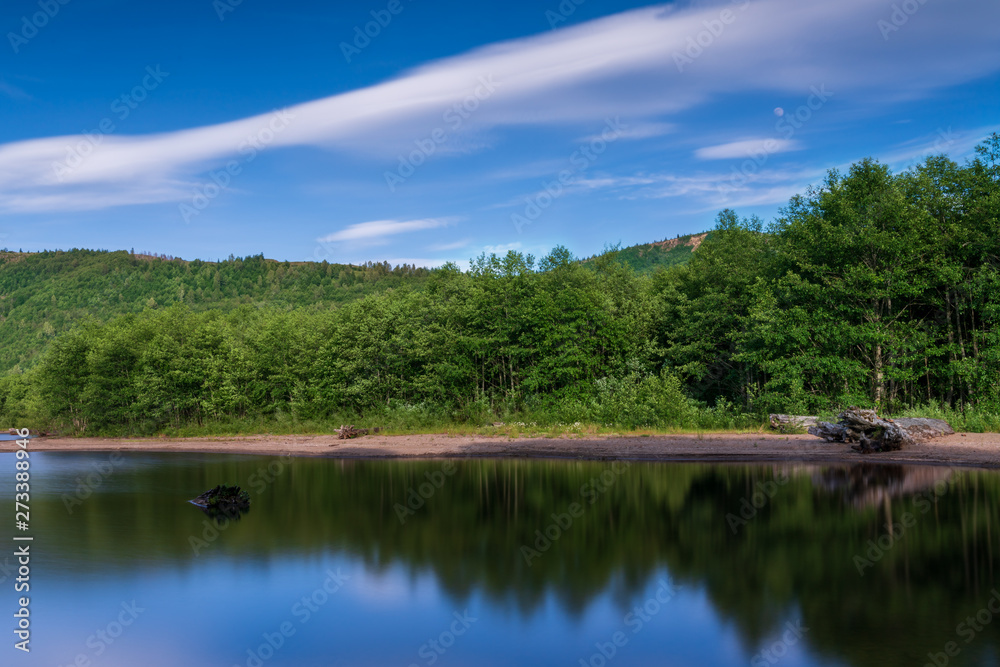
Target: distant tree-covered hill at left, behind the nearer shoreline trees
[{"x": 43, "y": 294}]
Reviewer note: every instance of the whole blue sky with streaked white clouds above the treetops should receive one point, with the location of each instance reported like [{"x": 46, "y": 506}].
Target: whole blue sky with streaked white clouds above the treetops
[{"x": 200, "y": 128}]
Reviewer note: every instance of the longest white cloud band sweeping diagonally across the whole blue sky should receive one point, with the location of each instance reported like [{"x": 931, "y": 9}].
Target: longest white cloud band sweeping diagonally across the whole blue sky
[{"x": 622, "y": 64}]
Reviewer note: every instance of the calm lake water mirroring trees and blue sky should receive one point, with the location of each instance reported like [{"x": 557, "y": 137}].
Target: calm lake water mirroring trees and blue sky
[{"x": 504, "y": 563}]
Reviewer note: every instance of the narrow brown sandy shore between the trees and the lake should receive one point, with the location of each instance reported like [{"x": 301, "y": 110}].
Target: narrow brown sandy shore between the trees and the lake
[{"x": 972, "y": 449}]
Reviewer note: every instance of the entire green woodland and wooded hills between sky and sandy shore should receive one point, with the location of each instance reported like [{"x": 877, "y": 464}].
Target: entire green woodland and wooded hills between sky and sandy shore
[{"x": 874, "y": 288}]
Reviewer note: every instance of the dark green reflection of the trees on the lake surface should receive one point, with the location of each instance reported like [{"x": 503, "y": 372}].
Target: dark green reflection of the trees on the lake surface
[{"x": 795, "y": 558}]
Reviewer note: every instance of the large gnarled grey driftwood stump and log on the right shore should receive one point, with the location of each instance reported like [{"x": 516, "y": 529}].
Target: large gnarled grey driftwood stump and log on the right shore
[{"x": 872, "y": 433}]
